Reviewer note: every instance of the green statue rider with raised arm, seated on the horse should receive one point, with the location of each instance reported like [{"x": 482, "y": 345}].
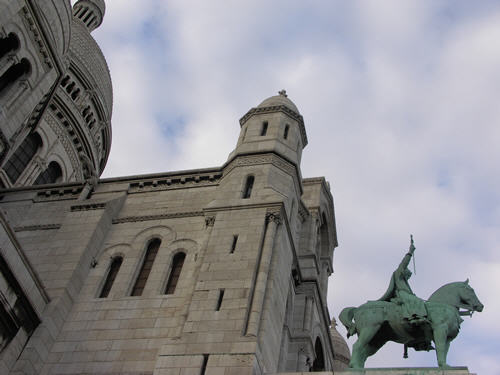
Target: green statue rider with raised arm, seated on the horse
[{"x": 399, "y": 292}]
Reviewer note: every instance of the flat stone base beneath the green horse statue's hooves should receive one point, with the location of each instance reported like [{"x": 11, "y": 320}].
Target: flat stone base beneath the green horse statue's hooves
[{"x": 406, "y": 371}]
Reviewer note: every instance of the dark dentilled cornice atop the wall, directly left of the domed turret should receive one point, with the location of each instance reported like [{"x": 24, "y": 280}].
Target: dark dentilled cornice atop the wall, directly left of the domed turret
[{"x": 173, "y": 182}]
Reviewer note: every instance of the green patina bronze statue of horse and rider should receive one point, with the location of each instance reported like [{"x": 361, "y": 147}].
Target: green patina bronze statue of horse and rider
[{"x": 400, "y": 316}]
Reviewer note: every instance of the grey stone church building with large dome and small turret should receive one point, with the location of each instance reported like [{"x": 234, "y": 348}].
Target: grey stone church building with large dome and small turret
[{"x": 208, "y": 271}]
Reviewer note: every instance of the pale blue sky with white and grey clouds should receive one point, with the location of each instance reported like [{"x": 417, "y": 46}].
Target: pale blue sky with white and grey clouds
[{"x": 401, "y": 106}]
